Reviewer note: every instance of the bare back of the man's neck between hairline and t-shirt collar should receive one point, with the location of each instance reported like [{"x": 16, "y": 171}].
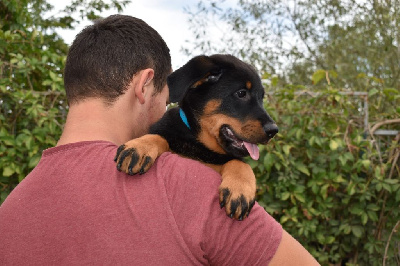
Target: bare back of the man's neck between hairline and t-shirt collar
[{"x": 92, "y": 120}]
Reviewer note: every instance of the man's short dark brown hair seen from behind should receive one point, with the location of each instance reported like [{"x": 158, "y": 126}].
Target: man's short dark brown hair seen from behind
[{"x": 105, "y": 56}]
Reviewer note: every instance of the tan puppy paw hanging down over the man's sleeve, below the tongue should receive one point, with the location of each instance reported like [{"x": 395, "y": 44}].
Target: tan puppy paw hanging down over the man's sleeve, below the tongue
[{"x": 238, "y": 189}]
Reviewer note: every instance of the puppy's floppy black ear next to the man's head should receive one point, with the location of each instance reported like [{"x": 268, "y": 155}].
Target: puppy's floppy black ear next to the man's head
[{"x": 198, "y": 70}]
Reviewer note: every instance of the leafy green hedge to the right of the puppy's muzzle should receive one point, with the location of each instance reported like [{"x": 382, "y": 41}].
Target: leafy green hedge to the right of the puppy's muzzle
[{"x": 332, "y": 185}]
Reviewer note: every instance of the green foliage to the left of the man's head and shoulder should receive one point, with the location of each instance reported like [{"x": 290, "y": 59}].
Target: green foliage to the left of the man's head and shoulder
[{"x": 33, "y": 104}]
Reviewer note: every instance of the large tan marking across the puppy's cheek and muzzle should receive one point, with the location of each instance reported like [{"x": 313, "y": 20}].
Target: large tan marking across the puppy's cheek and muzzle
[{"x": 211, "y": 122}]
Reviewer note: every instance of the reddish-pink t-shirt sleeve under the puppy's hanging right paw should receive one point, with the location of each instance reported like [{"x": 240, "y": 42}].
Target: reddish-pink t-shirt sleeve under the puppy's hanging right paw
[{"x": 192, "y": 190}]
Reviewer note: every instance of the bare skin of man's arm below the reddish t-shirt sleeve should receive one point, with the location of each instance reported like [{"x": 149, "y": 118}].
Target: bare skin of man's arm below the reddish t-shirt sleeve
[{"x": 291, "y": 252}]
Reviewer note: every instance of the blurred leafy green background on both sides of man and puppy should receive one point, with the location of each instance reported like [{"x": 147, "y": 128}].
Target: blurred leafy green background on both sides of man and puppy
[{"x": 332, "y": 75}]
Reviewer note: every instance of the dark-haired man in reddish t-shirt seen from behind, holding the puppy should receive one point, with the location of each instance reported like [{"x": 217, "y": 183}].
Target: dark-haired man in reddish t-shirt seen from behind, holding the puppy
[{"x": 75, "y": 208}]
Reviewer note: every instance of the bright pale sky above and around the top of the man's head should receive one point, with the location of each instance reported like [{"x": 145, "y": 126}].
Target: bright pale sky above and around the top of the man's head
[{"x": 167, "y": 17}]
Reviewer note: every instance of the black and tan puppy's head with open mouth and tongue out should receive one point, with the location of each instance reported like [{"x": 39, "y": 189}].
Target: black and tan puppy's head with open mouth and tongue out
[{"x": 223, "y": 99}]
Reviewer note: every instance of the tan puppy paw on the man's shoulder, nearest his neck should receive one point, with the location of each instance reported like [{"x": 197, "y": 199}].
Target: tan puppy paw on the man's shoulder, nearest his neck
[{"x": 138, "y": 155}]
